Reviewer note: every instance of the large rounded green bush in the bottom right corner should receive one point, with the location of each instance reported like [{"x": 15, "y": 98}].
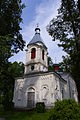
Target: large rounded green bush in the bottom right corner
[{"x": 65, "y": 110}]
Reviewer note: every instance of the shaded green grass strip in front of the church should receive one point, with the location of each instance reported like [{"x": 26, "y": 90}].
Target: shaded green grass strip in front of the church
[{"x": 24, "y": 115}]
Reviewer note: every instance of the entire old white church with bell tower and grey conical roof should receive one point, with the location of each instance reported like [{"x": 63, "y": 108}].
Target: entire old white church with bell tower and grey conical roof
[{"x": 38, "y": 84}]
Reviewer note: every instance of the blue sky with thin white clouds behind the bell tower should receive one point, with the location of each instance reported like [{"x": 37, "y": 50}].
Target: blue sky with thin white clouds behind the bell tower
[{"x": 41, "y": 12}]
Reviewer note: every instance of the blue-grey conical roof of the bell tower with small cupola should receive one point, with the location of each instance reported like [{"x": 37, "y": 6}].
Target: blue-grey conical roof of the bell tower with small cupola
[{"x": 37, "y": 38}]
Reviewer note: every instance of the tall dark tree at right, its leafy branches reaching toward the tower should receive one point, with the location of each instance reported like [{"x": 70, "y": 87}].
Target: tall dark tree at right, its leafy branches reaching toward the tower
[{"x": 66, "y": 28}]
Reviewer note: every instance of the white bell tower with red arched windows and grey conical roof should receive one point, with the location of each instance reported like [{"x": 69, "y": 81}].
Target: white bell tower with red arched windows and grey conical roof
[{"x": 36, "y": 54}]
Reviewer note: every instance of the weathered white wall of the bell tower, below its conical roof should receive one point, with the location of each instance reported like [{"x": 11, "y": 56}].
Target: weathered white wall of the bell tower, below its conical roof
[{"x": 38, "y": 62}]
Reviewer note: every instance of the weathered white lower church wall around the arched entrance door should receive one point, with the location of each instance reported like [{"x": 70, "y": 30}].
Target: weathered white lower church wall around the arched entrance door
[{"x": 47, "y": 89}]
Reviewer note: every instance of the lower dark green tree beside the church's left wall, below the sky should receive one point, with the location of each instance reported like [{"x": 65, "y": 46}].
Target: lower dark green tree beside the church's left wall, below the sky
[{"x": 13, "y": 70}]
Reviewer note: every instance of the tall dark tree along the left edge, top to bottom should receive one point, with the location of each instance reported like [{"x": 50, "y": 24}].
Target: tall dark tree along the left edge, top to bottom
[{"x": 11, "y": 42}]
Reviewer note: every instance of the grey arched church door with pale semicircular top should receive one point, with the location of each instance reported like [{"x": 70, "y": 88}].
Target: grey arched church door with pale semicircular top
[{"x": 31, "y": 98}]
